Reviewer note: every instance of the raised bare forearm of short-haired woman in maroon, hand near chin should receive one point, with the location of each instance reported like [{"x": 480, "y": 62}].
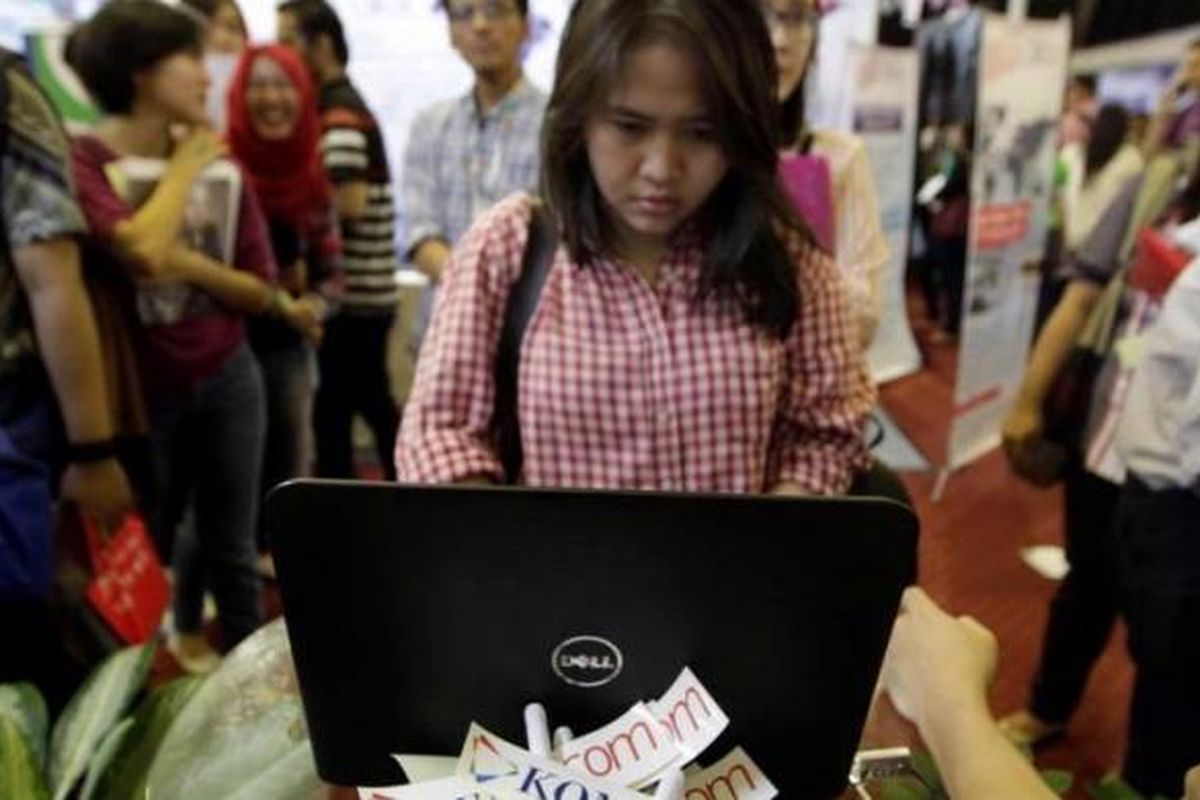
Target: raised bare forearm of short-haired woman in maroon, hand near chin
[{"x": 147, "y": 238}]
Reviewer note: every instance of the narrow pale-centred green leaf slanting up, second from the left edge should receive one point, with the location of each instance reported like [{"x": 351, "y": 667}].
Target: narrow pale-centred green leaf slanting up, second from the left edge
[{"x": 99, "y": 705}]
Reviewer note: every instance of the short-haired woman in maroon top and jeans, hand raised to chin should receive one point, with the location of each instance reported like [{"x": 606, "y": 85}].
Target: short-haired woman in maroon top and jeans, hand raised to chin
[{"x": 142, "y": 63}]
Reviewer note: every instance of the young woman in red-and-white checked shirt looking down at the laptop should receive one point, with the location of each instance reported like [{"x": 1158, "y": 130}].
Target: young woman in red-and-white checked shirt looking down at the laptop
[{"x": 689, "y": 336}]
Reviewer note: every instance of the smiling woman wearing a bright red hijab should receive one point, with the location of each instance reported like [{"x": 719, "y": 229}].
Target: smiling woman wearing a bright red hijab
[{"x": 275, "y": 134}]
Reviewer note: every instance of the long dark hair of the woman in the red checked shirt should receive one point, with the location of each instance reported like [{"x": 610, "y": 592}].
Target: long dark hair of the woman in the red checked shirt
[{"x": 747, "y": 216}]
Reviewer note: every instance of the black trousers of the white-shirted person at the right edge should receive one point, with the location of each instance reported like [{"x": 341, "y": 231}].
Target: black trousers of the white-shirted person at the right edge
[{"x": 1160, "y": 538}]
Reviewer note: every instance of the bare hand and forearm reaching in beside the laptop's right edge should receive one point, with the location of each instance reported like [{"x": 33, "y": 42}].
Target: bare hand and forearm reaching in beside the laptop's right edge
[{"x": 938, "y": 672}]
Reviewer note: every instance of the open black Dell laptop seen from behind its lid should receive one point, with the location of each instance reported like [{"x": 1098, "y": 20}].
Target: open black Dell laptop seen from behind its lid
[{"x": 415, "y": 611}]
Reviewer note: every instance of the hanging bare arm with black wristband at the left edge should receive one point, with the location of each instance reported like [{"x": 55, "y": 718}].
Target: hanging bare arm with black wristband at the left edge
[{"x": 69, "y": 344}]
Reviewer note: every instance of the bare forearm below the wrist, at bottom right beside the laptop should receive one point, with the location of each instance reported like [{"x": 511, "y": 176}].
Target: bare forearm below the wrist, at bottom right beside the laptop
[{"x": 976, "y": 761}]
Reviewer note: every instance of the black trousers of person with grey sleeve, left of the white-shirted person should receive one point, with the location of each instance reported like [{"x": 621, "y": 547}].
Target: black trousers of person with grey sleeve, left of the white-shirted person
[{"x": 1085, "y": 607}]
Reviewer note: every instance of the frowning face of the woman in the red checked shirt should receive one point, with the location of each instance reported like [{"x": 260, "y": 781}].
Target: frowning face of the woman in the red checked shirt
[{"x": 655, "y": 152}]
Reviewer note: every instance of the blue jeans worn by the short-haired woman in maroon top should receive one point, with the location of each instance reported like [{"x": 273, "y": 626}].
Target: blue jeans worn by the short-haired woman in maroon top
[{"x": 208, "y": 449}]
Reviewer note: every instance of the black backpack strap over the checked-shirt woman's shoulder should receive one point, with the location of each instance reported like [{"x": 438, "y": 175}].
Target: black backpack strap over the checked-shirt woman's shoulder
[{"x": 524, "y": 299}]
